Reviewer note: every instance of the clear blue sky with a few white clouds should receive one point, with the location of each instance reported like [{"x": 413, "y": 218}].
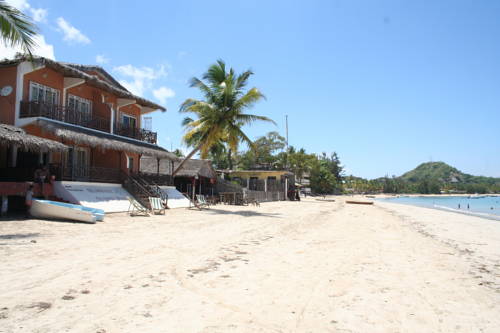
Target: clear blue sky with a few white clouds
[{"x": 385, "y": 84}]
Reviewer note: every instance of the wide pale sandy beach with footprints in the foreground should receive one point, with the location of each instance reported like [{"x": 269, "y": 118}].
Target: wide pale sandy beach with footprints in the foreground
[{"x": 309, "y": 266}]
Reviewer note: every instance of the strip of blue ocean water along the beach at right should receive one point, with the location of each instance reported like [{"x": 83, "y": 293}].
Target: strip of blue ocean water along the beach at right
[{"x": 485, "y": 206}]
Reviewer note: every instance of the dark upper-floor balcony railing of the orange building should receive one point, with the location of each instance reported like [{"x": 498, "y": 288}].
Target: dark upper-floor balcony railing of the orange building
[{"x": 71, "y": 116}]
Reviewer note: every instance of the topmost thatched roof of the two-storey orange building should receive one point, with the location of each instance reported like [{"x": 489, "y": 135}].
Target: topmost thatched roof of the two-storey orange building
[{"x": 72, "y": 70}]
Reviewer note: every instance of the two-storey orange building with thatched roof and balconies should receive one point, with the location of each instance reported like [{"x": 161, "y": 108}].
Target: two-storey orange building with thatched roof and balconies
[{"x": 82, "y": 107}]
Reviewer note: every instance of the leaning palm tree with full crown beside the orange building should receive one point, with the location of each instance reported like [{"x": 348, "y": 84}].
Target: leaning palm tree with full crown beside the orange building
[{"x": 220, "y": 116}]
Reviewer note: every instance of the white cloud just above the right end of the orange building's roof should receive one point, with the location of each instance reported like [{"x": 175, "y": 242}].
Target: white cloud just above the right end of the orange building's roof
[{"x": 141, "y": 78}]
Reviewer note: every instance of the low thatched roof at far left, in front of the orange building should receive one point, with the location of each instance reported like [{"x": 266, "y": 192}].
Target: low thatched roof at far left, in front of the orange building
[{"x": 11, "y": 135}]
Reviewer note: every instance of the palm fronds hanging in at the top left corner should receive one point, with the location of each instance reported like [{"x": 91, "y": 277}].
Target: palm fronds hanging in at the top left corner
[{"x": 16, "y": 28}]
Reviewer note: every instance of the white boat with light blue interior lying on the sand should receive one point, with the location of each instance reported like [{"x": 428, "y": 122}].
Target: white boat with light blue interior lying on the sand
[{"x": 62, "y": 211}]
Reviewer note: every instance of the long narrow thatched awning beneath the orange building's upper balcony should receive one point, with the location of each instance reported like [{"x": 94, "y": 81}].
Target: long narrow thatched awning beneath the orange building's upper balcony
[{"x": 104, "y": 141}]
